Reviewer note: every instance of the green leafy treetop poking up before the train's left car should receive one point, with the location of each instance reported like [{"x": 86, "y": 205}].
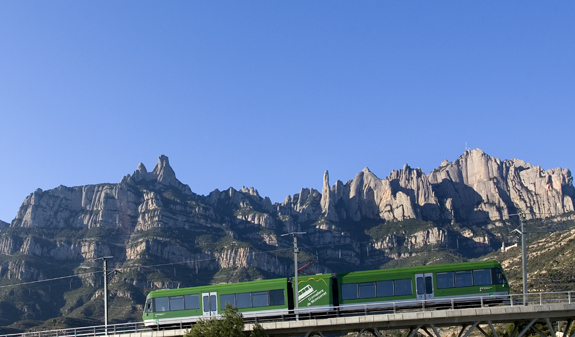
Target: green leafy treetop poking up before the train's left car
[{"x": 231, "y": 324}]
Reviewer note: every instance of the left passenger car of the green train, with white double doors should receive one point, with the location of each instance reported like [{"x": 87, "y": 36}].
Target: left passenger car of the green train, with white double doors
[{"x": 187, "y": 305}]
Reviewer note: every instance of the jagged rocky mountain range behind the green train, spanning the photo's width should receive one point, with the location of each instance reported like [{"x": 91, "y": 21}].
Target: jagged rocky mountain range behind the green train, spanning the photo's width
[{"x": 161, "y": 234}]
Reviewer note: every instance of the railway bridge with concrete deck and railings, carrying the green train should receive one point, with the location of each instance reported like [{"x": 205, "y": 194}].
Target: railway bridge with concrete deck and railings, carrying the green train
[{"x": 544, "y": 315}]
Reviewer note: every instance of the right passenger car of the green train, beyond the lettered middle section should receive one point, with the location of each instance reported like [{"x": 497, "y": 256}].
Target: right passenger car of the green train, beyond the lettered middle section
[{"x": 435, "y": 284}]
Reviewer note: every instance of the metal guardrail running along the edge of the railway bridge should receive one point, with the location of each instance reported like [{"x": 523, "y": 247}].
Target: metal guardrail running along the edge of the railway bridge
[{"x": 349, "y": 310}]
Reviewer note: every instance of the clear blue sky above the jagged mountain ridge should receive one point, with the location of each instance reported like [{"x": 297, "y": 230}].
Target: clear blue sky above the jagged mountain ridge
[{"x": 270, "y": 94}]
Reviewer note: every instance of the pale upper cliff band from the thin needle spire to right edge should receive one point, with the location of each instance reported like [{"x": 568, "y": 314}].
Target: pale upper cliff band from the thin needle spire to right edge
[{"x": 475, "y": 188}]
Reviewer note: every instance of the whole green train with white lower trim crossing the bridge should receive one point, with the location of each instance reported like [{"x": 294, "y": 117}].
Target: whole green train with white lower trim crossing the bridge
[{"x": 330, "y": 293}]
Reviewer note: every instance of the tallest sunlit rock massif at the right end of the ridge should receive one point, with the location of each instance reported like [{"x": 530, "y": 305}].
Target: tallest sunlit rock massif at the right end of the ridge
[{"x": 479, "y": 187}]
